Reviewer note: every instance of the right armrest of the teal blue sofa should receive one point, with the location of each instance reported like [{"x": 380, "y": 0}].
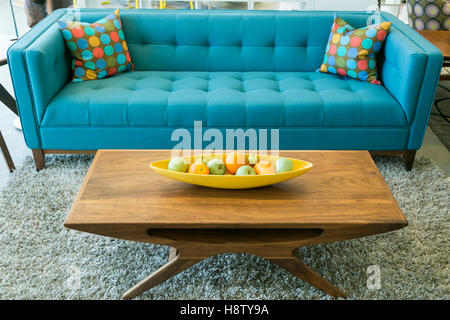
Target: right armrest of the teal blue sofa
[{"x": 410, "y": 72}]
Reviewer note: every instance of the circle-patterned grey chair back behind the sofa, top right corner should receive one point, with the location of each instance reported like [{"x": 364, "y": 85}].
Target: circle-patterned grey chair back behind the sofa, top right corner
[{"x": 429, "y": 14}]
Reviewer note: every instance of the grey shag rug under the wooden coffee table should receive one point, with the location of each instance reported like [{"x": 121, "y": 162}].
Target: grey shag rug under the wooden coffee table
[{"x": 40, "y": 259}]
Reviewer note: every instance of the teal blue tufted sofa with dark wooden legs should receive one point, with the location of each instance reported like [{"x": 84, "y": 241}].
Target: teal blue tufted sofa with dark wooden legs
[{"x": 228, "y": 69}]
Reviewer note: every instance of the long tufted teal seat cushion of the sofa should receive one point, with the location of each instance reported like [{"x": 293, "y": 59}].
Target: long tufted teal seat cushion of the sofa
[{"x": 224, "y": 99}]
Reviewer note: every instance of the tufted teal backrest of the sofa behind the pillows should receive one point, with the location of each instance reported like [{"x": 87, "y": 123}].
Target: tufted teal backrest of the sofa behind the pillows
[{"x": 187, "y": 40}]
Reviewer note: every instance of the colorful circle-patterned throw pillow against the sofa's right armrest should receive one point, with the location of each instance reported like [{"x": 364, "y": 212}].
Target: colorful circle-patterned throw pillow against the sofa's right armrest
[{"x": 353, "y": 52}]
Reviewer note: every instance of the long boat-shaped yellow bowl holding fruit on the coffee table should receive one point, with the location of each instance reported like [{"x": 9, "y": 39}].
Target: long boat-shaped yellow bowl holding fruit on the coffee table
[{"x": 232, "y": 181}]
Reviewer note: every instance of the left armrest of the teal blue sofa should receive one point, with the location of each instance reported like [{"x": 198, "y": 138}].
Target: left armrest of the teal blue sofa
[{"x": 40, "y": 66}]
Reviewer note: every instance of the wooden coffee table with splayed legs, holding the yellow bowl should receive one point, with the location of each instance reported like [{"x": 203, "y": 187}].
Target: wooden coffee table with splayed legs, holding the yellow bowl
[{"x": 343, "y": 197}]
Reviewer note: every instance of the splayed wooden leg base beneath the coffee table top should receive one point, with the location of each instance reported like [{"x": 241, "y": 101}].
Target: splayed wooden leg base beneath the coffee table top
[{"x": 189, "y": 247}]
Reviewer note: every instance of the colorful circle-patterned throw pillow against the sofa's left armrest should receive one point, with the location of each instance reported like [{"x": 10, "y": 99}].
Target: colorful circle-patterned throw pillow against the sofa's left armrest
[{"x": 99, "y": 49}]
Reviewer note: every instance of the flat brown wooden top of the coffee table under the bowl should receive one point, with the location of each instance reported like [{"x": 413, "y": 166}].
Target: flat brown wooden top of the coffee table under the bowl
[{"x": 343, "y": 189}]
